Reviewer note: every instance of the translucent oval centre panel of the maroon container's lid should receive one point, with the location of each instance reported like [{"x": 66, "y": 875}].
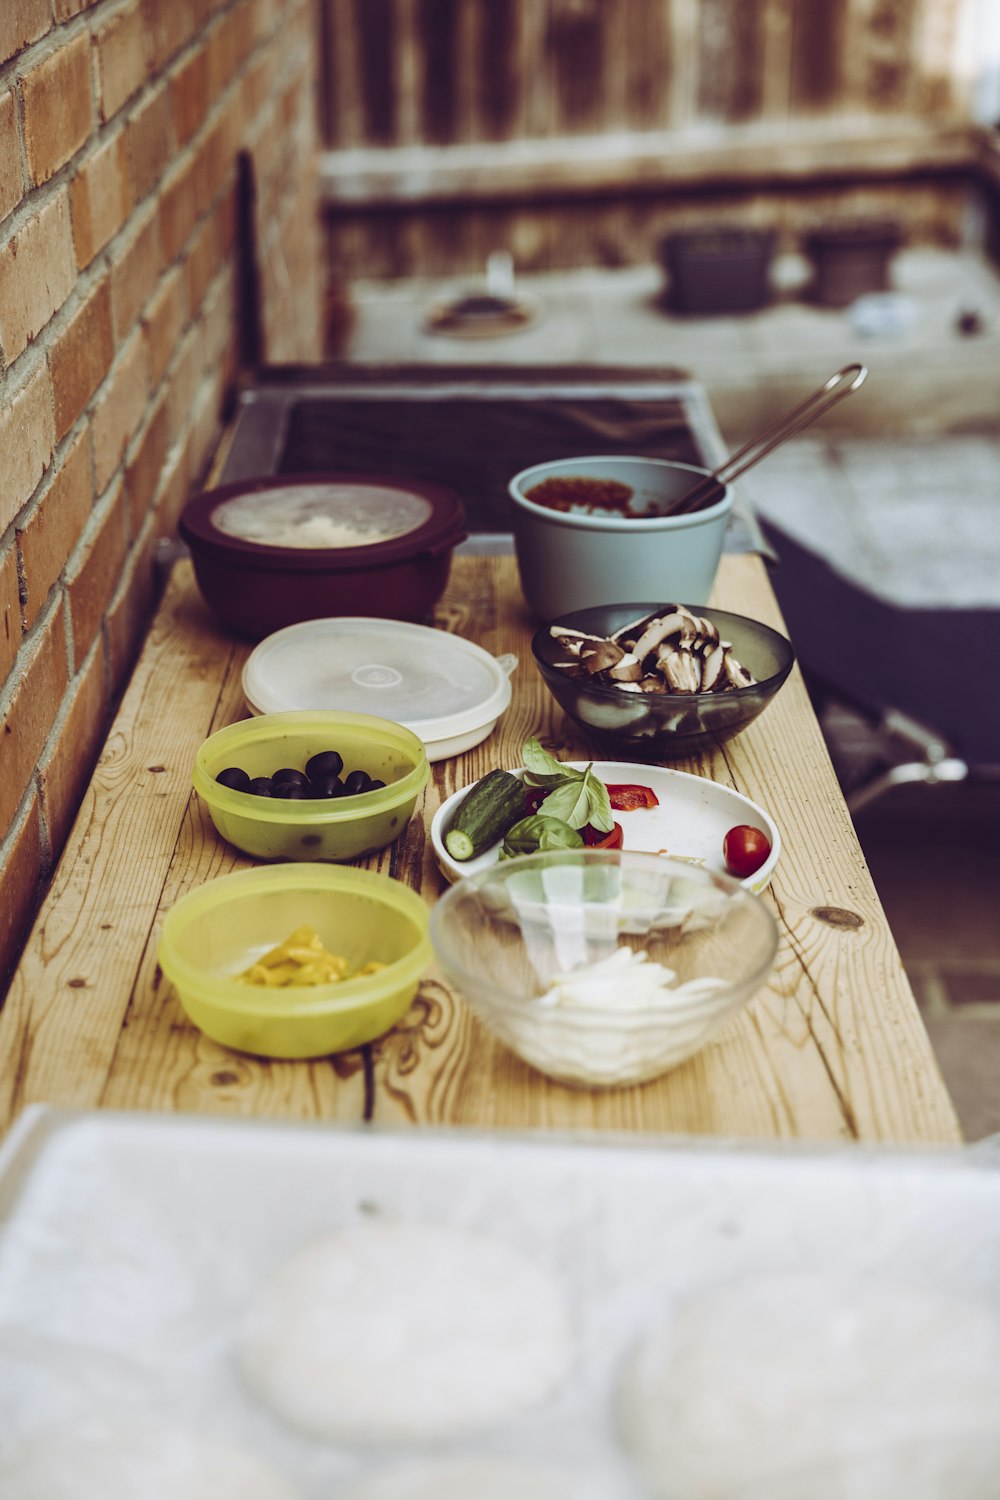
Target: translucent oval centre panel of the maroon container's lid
[{"x": 323, "y": 515}]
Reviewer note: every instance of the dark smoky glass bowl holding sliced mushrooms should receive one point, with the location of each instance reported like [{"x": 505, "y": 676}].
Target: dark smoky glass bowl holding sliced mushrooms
[{"x": 663, "y": 727}]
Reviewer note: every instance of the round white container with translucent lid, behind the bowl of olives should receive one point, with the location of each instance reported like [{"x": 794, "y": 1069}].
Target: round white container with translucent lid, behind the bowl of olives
[{"x": 437, "y": 685}]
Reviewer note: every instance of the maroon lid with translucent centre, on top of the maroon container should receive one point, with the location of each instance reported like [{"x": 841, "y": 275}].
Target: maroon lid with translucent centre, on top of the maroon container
[{"x": 323, "y": 523}]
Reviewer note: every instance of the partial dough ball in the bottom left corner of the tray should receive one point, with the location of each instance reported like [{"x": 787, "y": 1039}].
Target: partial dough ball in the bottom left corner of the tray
[{"x": 136, "y": 1462}]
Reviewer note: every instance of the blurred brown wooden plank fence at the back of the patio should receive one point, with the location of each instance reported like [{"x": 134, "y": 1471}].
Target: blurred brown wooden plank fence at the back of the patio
[{"x": 446, "y": 115}]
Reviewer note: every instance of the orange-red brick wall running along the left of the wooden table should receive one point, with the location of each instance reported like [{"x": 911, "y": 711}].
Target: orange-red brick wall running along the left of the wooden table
[{"x": 122, "y": 125}]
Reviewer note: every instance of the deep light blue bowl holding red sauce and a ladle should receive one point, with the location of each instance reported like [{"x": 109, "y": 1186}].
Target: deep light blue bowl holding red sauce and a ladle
[{"x": 575, "y": 560}]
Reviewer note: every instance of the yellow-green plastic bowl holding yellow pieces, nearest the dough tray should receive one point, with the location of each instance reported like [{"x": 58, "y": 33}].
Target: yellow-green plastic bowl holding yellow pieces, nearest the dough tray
[{"x": 218, "y": 931}]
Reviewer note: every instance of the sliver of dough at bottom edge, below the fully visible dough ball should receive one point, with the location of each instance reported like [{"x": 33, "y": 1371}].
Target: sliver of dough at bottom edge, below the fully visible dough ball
[{"x": 484, "y": 1480}]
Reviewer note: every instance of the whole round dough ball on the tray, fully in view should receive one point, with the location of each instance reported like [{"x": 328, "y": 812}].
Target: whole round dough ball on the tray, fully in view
[{"x": 391, "y": 1333}]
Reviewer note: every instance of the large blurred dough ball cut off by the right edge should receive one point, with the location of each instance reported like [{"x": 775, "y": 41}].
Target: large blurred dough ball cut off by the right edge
[{"x": 861, "y": 1387}]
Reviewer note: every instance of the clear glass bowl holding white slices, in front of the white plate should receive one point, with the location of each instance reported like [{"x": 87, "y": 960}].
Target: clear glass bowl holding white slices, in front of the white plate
[{"x": 510, "y": 937}]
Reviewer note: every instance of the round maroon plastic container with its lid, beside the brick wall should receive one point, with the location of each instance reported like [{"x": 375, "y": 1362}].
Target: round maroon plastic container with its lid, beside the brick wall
[{"x": 271, "y": 553}]
